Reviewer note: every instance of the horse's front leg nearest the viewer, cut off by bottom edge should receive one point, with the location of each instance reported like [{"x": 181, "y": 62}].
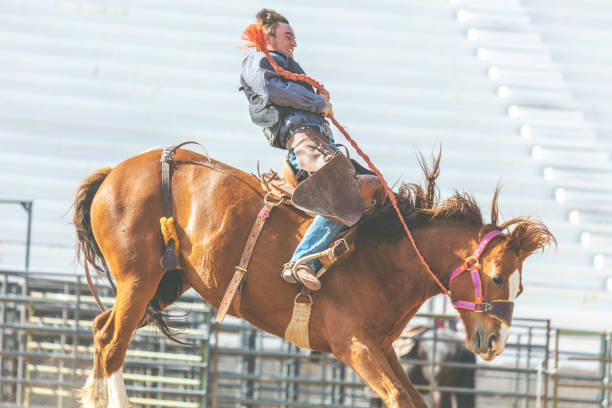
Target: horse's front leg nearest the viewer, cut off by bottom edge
[{"x": 363, "y": 355}]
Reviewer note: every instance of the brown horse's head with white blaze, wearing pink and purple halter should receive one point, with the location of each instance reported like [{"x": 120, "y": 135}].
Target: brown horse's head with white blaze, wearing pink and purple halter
[{"x": 484, "y": 288}]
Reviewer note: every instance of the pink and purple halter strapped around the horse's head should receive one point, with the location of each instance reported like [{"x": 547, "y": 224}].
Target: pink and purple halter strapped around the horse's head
[{"x": 498, "y": 309}]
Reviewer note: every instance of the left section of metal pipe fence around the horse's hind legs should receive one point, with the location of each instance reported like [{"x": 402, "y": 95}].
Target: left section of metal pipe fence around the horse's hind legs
[{"x": 53, "y": 346}]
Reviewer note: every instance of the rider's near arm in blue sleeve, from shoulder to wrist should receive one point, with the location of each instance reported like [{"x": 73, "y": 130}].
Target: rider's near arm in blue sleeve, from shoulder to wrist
[{"x": 261, "y": 77}]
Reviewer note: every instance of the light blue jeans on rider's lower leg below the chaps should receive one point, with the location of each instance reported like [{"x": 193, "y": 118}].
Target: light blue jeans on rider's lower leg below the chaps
[{"x": 317, "y": 238}]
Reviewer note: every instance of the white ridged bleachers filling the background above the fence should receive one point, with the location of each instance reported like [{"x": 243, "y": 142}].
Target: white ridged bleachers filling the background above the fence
[{"x": 517, "y": 91}]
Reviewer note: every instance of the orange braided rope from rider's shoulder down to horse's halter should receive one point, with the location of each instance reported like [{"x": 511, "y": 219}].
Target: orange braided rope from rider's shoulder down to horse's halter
[{"x": 255, "y": 37}]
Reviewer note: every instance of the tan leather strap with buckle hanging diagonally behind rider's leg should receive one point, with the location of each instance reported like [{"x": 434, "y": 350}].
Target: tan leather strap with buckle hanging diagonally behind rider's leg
[{"x": 232, "y": 295}]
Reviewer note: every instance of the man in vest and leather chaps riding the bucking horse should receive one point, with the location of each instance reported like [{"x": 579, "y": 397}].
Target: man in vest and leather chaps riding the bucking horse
[{"x": 292, "y": 116}]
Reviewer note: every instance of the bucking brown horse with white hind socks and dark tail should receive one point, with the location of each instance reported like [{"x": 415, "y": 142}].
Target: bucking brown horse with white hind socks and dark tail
[{"x": 364, "y": 304}]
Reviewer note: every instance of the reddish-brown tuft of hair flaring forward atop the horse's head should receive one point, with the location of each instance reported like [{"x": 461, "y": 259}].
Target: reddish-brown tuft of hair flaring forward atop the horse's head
[{"x": 528, "y": 236}]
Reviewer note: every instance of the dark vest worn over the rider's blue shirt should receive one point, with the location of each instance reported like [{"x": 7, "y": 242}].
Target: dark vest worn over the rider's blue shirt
[{"x": 266, "y": 114}]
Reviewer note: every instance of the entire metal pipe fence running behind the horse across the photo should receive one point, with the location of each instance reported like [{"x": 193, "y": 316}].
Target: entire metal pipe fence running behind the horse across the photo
[{"x": 46, "y": 353}]
